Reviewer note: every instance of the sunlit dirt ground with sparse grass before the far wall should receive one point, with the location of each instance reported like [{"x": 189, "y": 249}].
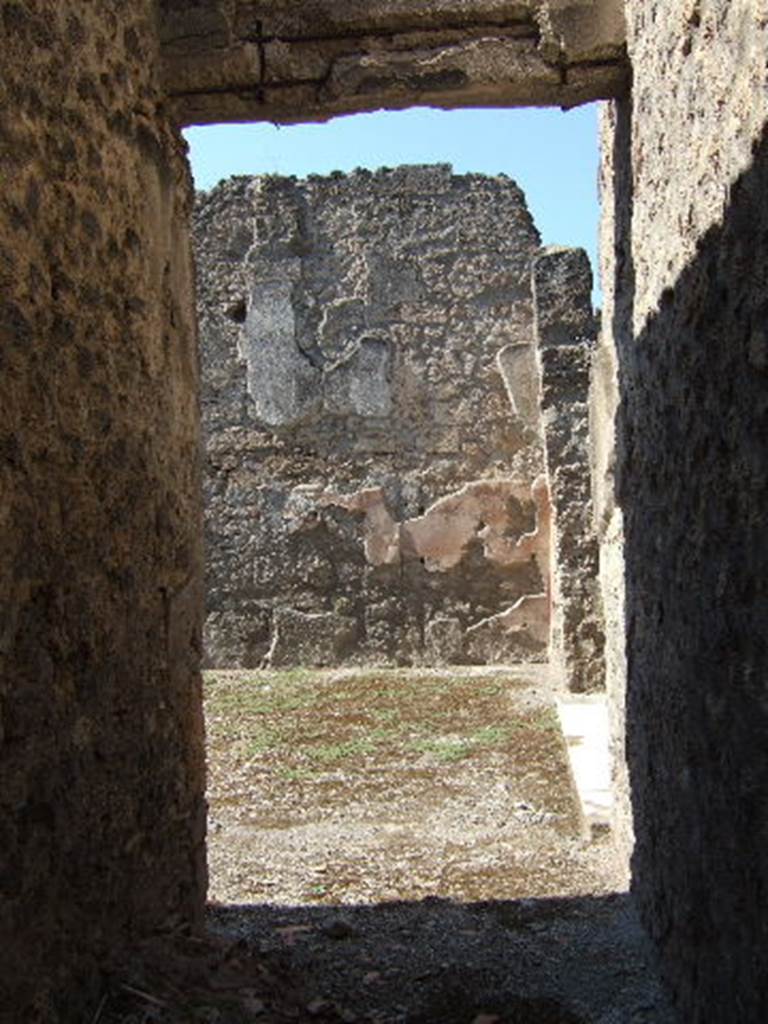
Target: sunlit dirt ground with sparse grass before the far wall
[{"x": 339, "y": 788}]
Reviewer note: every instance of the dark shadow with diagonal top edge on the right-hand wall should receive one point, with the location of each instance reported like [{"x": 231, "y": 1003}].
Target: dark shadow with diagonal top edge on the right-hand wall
[{"x": 694, "y": 471}]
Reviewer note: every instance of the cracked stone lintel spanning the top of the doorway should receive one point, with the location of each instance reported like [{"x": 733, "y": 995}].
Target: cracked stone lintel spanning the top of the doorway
[{"x": 284, "y": 62}]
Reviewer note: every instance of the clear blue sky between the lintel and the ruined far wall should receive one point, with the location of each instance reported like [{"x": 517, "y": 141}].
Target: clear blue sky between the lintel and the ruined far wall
[{"x": 551, "y": 154}]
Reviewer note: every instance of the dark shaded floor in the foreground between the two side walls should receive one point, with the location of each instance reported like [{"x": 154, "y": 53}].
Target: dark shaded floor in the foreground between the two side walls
[{"x": 575, "y": 961}]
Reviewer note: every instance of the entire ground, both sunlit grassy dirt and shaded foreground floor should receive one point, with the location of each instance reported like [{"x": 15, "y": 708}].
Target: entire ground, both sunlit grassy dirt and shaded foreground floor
[{"x": 401, "y": 847}]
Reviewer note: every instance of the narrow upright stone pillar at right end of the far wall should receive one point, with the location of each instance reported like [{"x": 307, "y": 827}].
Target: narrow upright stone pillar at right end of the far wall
[{"x": 566, "y": 333}]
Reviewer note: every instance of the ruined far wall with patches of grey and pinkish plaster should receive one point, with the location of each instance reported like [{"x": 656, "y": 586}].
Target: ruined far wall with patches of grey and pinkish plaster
[{"x": 373, "y": 432}]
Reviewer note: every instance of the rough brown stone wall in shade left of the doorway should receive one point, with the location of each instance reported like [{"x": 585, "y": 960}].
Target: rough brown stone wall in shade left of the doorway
[{"x": 101, "y": 740}]
